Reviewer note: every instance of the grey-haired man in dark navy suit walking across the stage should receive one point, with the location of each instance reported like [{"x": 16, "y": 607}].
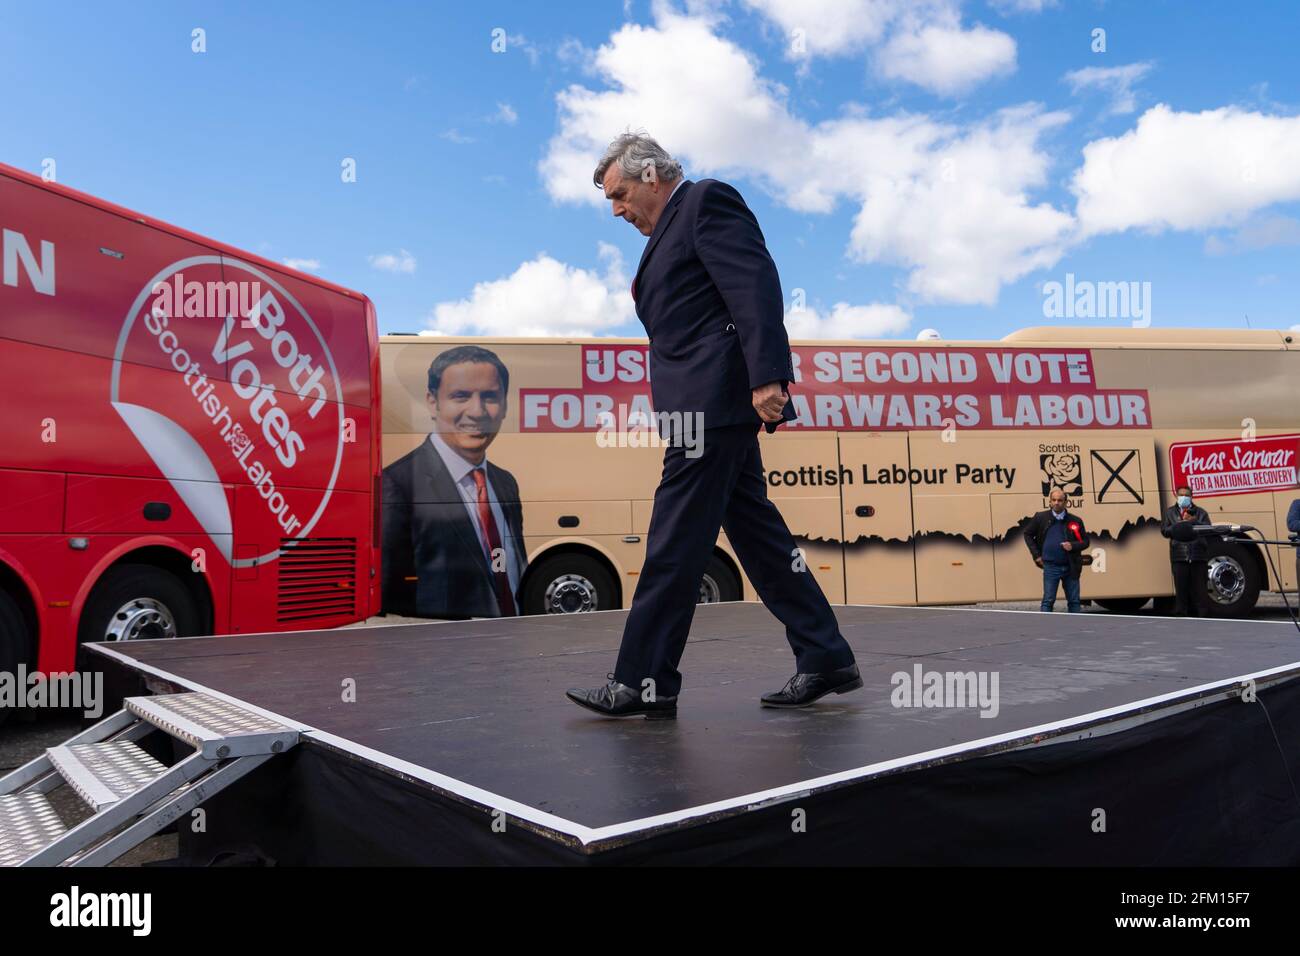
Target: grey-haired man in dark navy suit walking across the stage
[{"x": 710, "y": 300}]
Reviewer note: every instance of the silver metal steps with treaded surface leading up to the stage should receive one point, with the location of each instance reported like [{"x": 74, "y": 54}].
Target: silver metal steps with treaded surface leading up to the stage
[{"x": 131, "y": 794}]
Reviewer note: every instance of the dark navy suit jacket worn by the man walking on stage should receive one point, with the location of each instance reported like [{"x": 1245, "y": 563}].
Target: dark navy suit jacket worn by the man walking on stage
[{"x": 710, "y": 300}]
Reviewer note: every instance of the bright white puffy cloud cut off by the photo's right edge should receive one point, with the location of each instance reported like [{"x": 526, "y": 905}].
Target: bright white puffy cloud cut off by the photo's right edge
[{"x": 1189, "y": 171}]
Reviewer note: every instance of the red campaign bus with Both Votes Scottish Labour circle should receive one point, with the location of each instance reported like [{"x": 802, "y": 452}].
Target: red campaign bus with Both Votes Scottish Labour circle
[{"x": 189, "y": 435}]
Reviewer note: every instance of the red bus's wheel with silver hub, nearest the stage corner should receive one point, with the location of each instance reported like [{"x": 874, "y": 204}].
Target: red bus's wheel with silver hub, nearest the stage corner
[{"x": 136, "y": 603}]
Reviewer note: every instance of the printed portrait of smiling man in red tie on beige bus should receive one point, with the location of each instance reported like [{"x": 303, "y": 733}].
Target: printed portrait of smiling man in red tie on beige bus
[{"x": 453, "y": 524}]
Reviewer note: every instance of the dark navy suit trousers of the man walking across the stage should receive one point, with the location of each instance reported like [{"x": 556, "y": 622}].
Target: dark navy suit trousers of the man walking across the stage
[{"x": 725, "y": 487}]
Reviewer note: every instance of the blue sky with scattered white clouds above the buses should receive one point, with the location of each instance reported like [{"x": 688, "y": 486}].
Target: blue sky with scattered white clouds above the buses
[{"x": 929, "y": 165}]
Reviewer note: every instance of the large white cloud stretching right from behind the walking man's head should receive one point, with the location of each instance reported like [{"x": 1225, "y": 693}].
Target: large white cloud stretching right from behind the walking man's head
[{"x": 948, "y": 204}]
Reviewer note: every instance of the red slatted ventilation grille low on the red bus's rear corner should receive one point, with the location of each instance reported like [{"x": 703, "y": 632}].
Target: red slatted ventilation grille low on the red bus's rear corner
[{"x": 318, "y": 578}]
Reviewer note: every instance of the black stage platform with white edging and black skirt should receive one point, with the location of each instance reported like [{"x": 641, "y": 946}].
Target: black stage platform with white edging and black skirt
[{"x": 1117, "y": 741}]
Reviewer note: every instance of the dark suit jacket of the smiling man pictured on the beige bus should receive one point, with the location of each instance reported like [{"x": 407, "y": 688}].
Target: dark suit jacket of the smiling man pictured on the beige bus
[{"x": 428, "y": 537}]
